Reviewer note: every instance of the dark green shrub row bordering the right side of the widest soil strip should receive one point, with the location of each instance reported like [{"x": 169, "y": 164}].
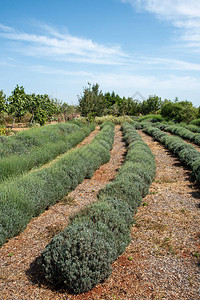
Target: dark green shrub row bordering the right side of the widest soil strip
[{"x": 186, "y": 153}]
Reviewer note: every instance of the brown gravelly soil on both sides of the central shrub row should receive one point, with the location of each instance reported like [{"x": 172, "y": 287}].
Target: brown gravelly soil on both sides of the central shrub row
[{"x": 162, "y": 260}]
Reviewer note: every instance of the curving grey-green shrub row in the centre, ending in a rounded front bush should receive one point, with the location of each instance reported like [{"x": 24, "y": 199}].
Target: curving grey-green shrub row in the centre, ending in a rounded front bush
[{"x": 80, "y": 256}]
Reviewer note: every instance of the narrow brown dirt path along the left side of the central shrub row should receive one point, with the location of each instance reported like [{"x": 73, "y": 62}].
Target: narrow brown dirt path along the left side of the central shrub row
[{"x": 21, "y": 251}]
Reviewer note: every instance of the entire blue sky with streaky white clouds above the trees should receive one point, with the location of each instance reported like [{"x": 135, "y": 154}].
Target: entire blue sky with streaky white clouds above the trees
[{"x": 58, "y": 46}]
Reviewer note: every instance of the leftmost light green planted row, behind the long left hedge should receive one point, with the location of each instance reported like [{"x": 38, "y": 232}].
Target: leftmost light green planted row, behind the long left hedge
[{"x": 38, "y": 147}]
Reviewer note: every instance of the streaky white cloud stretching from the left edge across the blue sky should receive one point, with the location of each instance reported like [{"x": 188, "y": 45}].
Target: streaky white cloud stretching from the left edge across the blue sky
[{"x": 63, "y": 46}]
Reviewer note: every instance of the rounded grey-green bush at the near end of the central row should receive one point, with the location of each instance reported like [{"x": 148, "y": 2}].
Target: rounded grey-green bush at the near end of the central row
[{"x": 79, "y": 257}]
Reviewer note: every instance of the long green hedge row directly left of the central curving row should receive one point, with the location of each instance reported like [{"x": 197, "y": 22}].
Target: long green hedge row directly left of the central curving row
[{"x": 27, "y": 196}]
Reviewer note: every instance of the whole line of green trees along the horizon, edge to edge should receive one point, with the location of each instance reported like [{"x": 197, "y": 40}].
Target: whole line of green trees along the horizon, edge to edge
[{"x": 92, "y": 102}]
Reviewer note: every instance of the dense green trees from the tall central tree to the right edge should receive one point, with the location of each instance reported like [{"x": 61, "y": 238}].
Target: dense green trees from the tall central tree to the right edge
[{"x": 94, "y": 103}]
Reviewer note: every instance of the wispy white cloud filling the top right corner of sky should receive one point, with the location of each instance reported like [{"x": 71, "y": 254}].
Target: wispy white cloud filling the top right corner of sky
[{"x": 183, "y": 14}]
